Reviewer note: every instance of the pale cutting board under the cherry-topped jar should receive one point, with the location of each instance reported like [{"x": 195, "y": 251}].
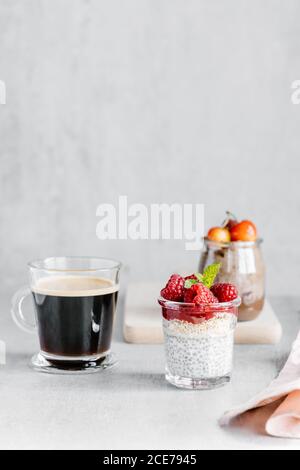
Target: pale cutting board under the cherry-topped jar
[{"x": 143, "y": 323}]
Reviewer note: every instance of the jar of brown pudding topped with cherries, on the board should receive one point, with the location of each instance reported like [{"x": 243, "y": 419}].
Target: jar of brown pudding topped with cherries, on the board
[{"x": 237, "y": 248}]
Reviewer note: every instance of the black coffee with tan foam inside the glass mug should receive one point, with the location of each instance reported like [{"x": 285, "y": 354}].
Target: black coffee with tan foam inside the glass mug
[{"x": 75, "y": 315}]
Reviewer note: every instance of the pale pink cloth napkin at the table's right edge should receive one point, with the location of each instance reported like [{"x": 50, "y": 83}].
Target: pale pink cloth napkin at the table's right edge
[{"x": 276, "y": 410}]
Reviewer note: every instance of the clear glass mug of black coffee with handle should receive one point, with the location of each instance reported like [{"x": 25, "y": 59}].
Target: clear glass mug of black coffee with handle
[{"x": 75, "y": 301}]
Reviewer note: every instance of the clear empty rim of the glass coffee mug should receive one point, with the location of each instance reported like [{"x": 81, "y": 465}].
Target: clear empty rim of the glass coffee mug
[{"x": 40, "y": 264}]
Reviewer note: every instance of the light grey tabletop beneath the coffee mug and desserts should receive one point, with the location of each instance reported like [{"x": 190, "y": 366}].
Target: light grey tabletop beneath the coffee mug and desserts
[{"x": 132, "y": 406}]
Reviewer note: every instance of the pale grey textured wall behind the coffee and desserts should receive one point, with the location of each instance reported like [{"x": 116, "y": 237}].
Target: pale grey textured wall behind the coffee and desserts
[{"x": 160, "y": 100}]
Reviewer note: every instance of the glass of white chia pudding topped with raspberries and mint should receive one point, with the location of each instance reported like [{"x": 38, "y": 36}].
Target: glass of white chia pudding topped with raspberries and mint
[{"x": 199, "y": 319}]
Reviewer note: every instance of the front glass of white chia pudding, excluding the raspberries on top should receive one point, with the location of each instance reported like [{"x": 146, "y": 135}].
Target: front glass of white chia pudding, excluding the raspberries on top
[{"x": 199, "y": 342}]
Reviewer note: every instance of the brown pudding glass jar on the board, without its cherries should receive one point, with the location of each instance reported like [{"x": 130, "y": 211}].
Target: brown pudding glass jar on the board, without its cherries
[{"x": 242, "y": 265}]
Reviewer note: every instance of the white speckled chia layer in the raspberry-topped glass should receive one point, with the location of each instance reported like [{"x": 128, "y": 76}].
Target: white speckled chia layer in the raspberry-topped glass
[{"x": 202, "y": 350}]
